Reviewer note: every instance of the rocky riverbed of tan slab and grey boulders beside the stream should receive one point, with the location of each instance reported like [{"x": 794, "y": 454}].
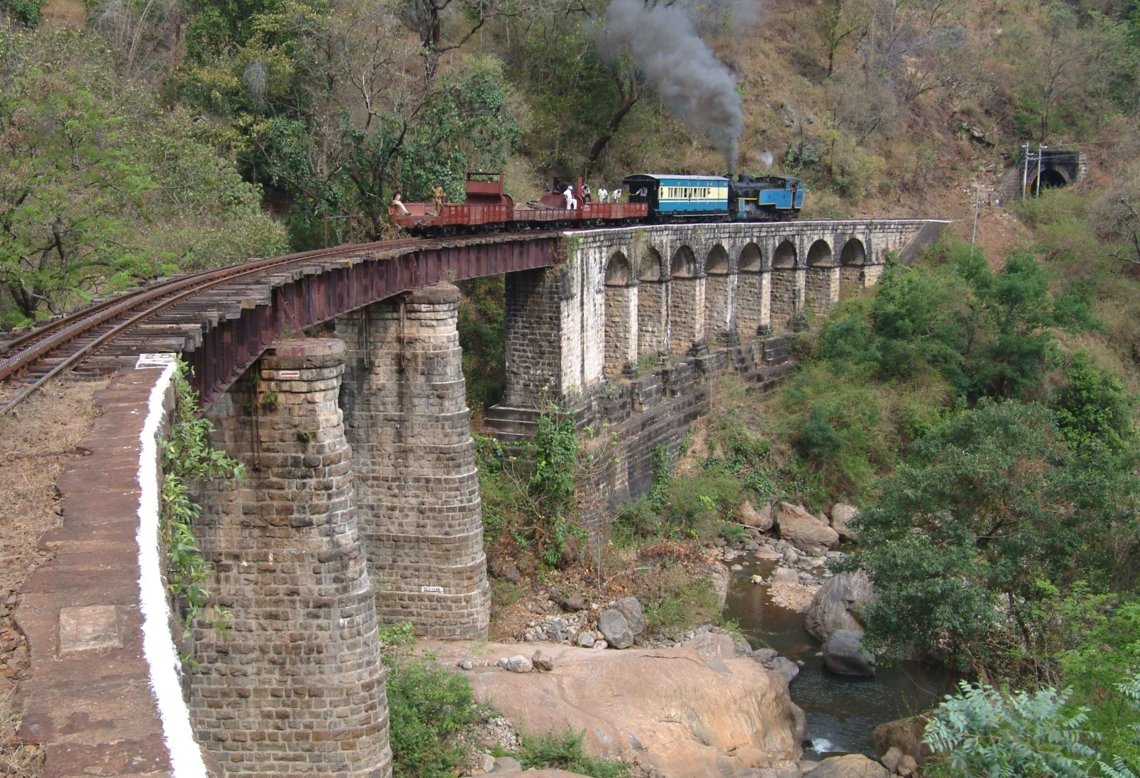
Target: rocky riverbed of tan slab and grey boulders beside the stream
[{"x": 706, "y": 704}]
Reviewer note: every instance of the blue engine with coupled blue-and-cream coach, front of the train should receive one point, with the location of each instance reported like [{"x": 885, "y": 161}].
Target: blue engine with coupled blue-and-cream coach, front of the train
[{"x": 704, "y": 198}]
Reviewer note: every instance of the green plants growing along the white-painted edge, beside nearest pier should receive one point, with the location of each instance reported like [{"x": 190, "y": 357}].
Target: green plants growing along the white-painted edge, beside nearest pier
[{"x": 189, "y": 459}]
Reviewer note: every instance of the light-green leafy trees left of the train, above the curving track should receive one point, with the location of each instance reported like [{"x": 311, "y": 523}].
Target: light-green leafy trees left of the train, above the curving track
[{"x": 99, "y": 190}]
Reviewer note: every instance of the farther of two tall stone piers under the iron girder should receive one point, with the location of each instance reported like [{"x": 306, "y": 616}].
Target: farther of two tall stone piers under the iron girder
[{"x": 414, "y": 464}]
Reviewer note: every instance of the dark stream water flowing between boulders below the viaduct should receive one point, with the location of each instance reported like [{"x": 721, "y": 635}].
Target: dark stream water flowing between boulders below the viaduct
[{"x": 842, "y": 711}]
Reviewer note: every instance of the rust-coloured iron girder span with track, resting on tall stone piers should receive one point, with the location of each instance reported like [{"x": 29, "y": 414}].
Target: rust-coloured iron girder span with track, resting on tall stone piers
[{"x": 223, "y": 320}]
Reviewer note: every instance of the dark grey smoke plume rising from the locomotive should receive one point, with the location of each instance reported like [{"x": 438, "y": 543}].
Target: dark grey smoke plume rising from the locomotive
[{"x": 694, "y": 85}]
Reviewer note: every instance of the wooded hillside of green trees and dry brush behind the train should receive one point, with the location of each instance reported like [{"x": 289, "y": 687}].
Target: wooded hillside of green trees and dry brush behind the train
[{"x": 324, "y": 108}]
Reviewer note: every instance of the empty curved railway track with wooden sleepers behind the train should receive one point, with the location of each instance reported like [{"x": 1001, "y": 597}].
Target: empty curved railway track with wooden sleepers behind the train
[{"x": 31, "y": 360}]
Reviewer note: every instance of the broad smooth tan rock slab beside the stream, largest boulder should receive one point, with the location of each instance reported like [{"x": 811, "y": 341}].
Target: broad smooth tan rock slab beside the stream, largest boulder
[{"x": 669, "y": 708}]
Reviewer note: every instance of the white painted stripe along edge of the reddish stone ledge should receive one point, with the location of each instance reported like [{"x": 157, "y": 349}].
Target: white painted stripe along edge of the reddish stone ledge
[{"x": 158, "y": 645}]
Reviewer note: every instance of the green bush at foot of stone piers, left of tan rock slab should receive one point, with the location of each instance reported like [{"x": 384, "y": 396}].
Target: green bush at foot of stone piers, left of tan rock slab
[{"x": 430, "y": 710}]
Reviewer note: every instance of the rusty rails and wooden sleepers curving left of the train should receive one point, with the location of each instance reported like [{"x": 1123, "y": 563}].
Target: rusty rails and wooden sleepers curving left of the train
[{"x": 160, "y": 318}]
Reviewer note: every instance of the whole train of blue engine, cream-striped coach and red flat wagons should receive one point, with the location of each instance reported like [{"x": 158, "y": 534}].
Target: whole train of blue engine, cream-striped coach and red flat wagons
[{"x": 649, "y": 199}]
